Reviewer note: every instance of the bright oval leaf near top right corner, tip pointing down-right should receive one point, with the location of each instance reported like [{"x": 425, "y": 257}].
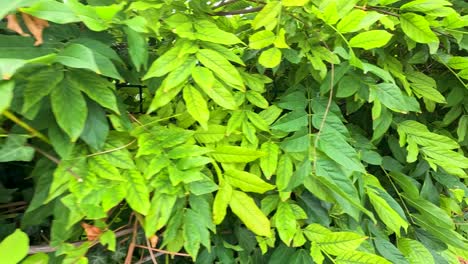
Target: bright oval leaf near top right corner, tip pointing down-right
[{"x": 417, "y": 28}]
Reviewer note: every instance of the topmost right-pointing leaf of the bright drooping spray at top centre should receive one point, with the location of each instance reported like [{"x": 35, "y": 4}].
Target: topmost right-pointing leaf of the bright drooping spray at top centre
[{"x": 208, "y": 31}]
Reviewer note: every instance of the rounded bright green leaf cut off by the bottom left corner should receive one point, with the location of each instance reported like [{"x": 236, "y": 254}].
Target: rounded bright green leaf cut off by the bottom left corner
[{"x": 14, "y": 247}]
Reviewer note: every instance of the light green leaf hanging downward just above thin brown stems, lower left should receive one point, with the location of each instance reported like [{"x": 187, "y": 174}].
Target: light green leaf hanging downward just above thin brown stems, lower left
[{"x": 137, "y": 192}]
